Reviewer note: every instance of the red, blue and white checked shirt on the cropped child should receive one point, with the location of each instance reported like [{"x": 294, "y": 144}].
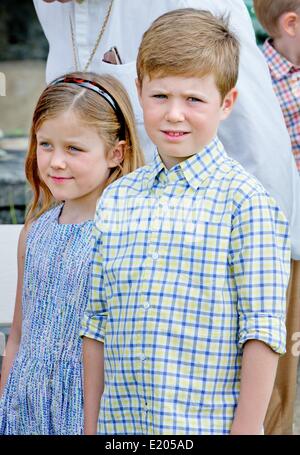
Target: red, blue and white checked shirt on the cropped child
[{"x": 286, "y": 82}]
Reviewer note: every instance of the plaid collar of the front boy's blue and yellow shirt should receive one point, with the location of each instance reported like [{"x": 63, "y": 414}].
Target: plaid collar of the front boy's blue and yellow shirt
[{"x": 195, "y": 169}]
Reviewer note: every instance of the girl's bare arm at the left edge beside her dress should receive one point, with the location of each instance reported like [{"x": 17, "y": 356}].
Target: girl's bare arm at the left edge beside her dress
[{"x": 14, "y": 338}]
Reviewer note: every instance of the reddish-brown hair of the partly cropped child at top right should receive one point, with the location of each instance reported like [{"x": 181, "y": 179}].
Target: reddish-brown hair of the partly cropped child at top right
[{"x": 268, "y": 13}]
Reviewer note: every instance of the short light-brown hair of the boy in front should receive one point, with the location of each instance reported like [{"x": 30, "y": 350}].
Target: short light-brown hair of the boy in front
[{"x": 190, "y": 42}]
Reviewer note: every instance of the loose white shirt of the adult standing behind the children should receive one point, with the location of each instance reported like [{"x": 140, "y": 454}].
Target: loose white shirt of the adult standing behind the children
[{"x": 254, "y": 134}]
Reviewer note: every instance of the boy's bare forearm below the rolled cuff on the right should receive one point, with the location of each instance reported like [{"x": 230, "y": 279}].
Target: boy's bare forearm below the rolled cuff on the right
[{"x": 259, "y": 364}]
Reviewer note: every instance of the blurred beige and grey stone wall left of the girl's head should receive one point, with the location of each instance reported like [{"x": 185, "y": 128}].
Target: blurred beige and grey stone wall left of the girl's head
[{"x": 25, "y": 82}]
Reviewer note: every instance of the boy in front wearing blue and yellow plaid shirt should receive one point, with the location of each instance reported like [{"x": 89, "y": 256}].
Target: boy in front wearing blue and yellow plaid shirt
[{"x": 191, "y": 258}]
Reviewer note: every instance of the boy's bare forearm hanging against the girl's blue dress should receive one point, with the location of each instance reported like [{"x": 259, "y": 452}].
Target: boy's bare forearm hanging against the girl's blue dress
[{"x": 93, "y": 365}]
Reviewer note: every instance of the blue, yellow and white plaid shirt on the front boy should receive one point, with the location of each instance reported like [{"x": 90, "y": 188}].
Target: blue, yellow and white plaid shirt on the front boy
[{"x": 188, "y": 264}]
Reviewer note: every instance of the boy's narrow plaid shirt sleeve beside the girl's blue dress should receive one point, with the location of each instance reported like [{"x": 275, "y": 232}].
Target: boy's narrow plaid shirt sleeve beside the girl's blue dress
[{"x": 95, "y": 315}]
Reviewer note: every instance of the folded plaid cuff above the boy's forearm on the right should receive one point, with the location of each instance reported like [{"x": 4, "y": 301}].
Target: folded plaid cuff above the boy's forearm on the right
[{"x": 263, "y": 327}]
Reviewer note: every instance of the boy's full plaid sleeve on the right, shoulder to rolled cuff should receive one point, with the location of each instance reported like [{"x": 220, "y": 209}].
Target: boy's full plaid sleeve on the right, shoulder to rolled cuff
[{"x": 260, "y": 253}]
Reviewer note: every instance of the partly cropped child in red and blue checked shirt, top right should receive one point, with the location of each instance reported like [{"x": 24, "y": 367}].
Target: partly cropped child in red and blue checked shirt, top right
[{"x": 281, "y": 19}]
